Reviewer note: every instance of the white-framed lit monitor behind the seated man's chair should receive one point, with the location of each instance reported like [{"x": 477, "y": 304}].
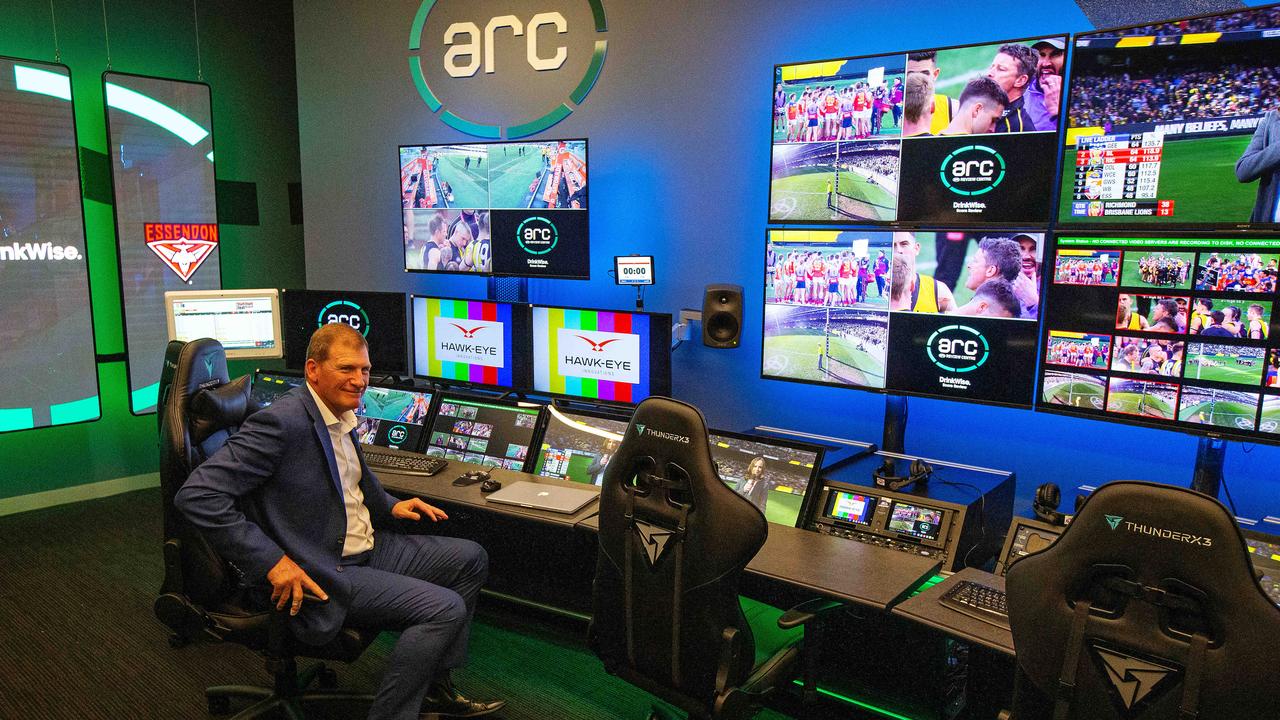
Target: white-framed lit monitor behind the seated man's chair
[{"x": 248, "y": 322}]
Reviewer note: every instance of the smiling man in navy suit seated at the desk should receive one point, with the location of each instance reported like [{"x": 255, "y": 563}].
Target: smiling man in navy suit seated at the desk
[{"x": 291, "y": 502}]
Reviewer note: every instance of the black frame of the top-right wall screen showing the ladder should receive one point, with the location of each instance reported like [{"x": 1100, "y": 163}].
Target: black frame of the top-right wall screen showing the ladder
[{"x": 1064, "y": 225}]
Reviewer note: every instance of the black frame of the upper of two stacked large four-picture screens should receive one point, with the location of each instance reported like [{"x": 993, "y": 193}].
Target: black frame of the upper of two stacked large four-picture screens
[{"x": 924, "y": 225}]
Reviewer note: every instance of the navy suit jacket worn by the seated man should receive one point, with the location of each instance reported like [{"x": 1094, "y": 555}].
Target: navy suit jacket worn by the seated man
[{"x": 275, "y": 490}]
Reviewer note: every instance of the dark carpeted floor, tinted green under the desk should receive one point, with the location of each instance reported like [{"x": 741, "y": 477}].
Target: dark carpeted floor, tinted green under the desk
[{"x": 79, "y": 639}]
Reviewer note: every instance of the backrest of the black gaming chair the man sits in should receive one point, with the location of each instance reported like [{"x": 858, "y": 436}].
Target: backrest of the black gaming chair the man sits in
[{"x": 202, "y": 412}]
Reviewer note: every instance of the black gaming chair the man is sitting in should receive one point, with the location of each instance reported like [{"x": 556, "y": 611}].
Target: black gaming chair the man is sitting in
[{"x": 202, "y": 596}]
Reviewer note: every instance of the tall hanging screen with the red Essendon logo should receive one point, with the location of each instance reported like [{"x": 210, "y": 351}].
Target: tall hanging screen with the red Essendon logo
[{"x": 162, "y": 149}]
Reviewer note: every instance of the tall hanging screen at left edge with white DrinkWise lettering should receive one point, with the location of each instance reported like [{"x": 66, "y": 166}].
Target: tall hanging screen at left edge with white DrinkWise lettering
[{"x": 47, "y": 340}]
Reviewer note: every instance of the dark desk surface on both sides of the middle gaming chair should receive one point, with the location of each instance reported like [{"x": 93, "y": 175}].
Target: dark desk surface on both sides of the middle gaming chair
[{"x": 831, "y": 567}]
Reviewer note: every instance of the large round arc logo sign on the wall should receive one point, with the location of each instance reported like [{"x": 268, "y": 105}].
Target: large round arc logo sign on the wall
[{"x": 506, "y": 71}]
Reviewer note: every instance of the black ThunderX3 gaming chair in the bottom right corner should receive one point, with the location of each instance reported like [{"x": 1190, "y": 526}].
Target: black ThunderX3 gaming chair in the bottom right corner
[{"x": 1148, "y": 608}]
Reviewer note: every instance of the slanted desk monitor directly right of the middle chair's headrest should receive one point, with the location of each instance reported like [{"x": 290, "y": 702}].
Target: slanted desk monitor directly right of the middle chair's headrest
[{"x": 774, "y": 475}]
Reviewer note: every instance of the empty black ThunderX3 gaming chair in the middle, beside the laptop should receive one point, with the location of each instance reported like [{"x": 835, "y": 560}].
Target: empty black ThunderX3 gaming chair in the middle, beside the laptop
[{"x": 674, "y": 544}]
